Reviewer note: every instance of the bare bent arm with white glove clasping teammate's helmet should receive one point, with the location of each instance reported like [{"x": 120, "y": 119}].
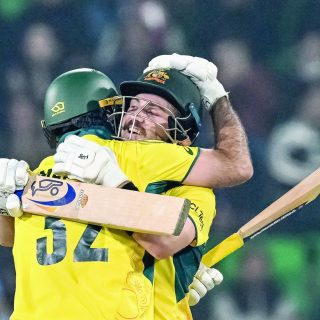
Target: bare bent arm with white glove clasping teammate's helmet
[{"x": 229, "y": 163}]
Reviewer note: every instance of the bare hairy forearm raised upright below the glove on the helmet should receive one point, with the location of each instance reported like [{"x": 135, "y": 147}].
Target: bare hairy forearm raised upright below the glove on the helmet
[{"x": 231, "y": 142}]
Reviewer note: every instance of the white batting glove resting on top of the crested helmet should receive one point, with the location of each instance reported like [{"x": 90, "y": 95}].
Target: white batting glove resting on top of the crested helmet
[{"x": 201, "y": 71}]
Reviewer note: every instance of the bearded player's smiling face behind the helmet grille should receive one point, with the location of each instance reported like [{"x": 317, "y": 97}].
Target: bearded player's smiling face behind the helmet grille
[{"x": 147, "y": 118}]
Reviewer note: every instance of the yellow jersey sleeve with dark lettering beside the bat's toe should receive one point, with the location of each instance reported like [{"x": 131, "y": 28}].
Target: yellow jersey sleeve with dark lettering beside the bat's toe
[{"x": 202, "y": 210}]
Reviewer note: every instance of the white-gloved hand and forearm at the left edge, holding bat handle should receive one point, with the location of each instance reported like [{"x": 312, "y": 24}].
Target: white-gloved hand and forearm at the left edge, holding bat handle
[{"x": 13, "y": 176}]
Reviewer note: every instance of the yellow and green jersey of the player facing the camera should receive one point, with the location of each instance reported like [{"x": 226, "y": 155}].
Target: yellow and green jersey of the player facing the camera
[{"x": 170, "y": 280}]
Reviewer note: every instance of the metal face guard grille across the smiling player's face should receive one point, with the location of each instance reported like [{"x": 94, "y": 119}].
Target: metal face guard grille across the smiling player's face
[{"x": 173, "y": 132}]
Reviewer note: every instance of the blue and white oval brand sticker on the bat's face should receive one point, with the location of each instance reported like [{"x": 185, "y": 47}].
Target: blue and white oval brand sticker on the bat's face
[{"x": 51, "y": 188}]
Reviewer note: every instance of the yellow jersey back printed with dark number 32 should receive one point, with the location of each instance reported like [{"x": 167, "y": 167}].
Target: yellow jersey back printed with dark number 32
[{"x": 75, "y": 290}]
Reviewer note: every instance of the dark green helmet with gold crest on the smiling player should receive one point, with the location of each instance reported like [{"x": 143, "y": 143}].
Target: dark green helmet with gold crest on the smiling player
[{"x": 179, "y": 90}]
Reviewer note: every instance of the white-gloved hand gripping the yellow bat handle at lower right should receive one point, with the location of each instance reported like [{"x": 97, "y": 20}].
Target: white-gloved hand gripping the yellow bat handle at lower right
[{"x": 205, "y": 279}]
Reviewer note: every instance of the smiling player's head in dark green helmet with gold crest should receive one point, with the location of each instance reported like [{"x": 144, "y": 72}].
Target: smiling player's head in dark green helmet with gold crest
[{"x": 167, "y": 90}]
